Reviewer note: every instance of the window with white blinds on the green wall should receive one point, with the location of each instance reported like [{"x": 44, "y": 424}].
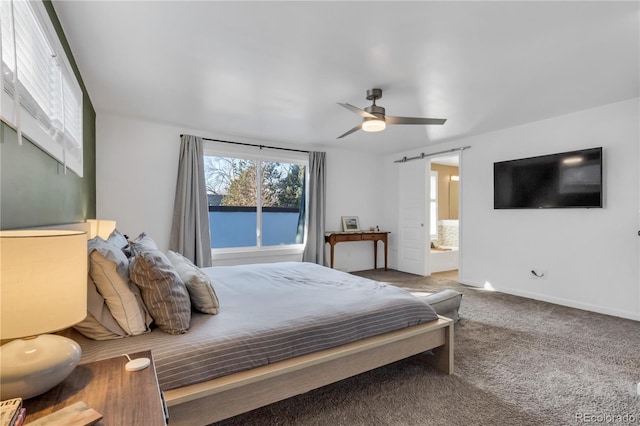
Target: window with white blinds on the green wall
[{"x": 39, "y": 93}]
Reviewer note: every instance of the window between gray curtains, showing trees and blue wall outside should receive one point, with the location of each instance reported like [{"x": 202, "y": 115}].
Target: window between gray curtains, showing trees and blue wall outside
[{"x": 255, "y": 201}]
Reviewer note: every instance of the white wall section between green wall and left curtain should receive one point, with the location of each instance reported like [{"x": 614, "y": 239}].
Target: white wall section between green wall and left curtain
[{"x": 136, "y": 170}]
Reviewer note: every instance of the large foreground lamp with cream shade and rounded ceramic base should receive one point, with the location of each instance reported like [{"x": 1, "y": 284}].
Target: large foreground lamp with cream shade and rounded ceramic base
[{"x": 43, "y": 288}]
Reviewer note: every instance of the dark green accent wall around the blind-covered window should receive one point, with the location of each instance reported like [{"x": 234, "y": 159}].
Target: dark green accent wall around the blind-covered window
[{"x": 34, "y": 189}]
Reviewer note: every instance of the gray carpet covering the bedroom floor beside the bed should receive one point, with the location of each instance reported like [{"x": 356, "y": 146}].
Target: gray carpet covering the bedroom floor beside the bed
[{"x": 517, "y": 361}]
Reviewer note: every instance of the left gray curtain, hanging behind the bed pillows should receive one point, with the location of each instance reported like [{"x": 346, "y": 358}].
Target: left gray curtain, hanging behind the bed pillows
[{"x": 190, "y": 229}]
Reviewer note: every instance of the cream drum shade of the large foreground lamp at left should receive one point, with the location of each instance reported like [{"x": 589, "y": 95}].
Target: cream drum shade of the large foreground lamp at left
[{"x": 43, "y": 281}]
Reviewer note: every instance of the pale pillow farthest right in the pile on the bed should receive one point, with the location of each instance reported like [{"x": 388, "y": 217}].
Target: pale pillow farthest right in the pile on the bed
[{"x": 203, "y": 296}]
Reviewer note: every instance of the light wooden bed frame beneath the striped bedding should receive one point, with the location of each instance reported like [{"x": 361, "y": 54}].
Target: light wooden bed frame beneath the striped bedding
[{"x": 228, "y": 396}]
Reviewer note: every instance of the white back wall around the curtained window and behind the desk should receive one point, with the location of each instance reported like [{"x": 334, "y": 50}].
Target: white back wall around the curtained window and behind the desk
[{"x": 136, "y": 169}]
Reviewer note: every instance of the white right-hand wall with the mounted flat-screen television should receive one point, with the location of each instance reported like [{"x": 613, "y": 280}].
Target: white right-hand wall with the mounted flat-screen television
[{"x": 592, "y": 256}]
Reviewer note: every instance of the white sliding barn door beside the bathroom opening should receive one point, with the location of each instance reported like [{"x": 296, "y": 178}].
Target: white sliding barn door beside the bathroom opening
[{"x": 413, "y": 252}]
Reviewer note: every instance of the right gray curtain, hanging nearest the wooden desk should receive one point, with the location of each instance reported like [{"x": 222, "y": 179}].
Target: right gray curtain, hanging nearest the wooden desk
[{"x": 314, "y": 248}]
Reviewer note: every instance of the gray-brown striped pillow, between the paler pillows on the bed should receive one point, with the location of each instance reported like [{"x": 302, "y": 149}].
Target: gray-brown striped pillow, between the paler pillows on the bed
[{"x": 164, "y": 294}]
